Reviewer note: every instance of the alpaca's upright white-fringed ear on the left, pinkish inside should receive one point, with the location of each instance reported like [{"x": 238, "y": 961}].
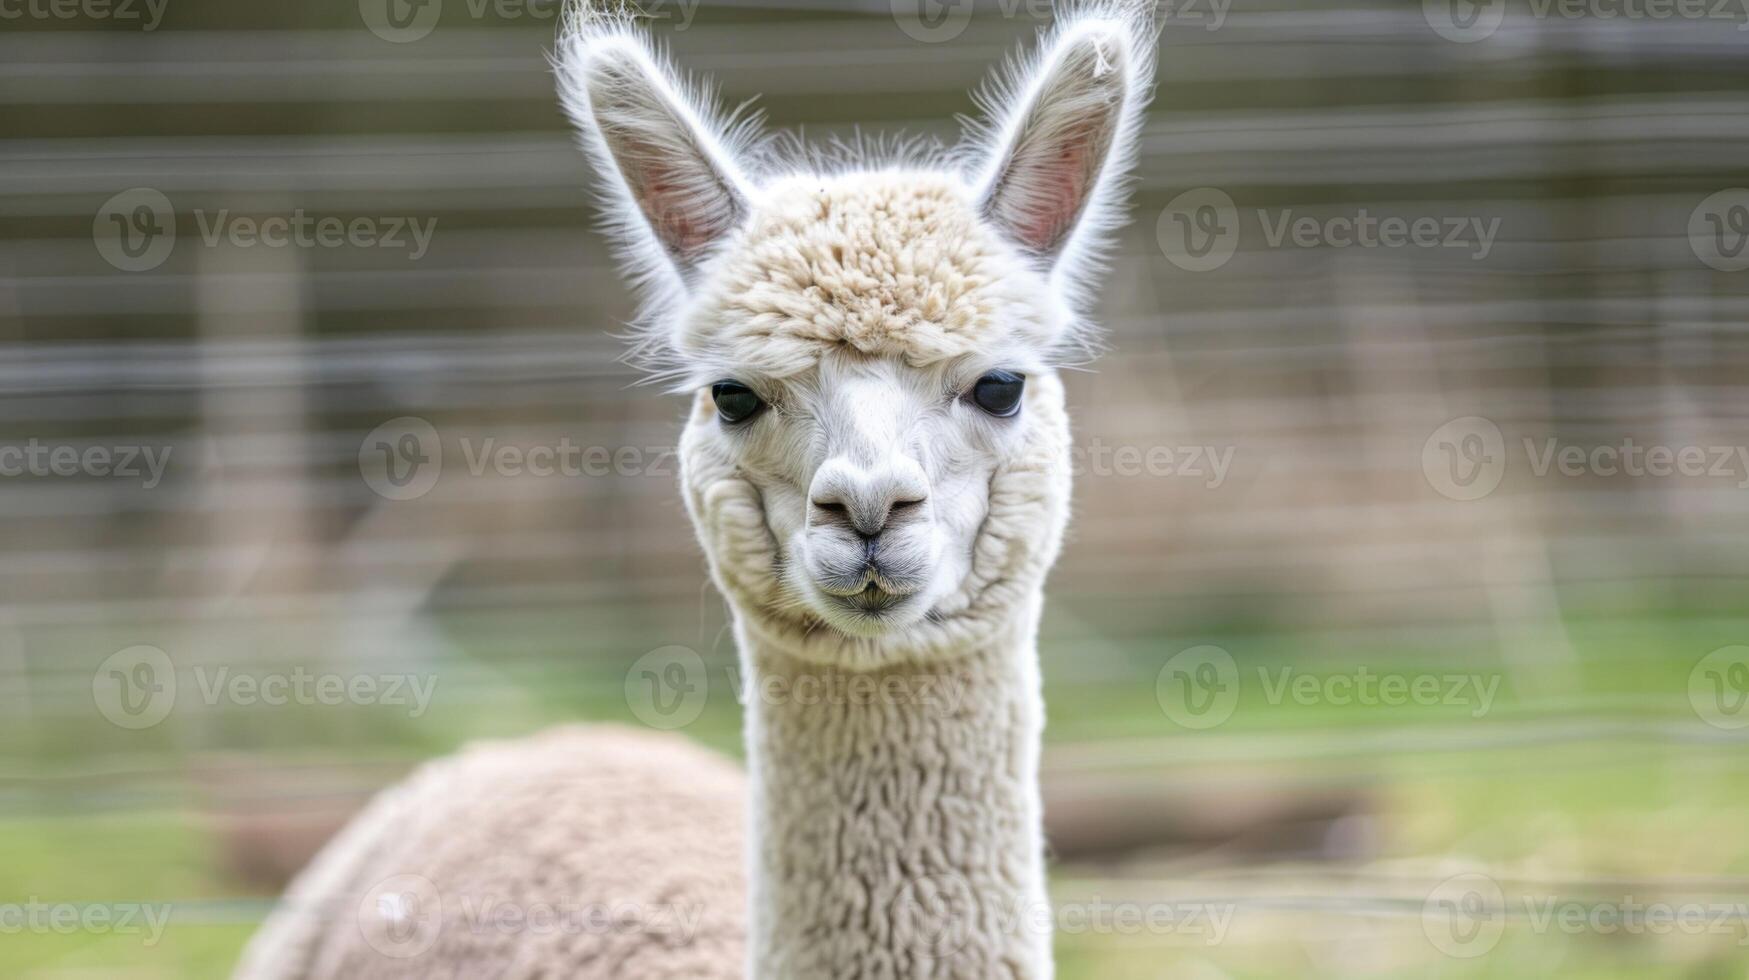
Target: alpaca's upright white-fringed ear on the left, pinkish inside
[{"x": 672, "y": 165}]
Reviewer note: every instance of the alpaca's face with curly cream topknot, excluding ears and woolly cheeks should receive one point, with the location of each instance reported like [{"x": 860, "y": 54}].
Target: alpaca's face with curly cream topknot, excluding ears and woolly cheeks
[{"x": 868, "y": 410}]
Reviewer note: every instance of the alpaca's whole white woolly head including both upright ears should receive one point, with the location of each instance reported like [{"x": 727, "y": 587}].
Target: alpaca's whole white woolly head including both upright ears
[{"x": 877, "y": 454}]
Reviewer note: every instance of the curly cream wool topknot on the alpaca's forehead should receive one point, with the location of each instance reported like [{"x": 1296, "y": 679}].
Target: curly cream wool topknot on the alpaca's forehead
[{"x": 888, "y": 263}]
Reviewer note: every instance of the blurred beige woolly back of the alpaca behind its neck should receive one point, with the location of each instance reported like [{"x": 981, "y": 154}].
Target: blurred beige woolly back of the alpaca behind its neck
[{"x": 575, "y": 853}]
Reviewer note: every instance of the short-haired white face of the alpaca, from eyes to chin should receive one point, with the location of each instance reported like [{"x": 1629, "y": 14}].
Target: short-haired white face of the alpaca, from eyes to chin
[{"x": 874, "y": 477}]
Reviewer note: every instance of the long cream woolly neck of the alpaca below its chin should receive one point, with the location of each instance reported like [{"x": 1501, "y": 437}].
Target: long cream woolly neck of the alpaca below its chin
[{"x": 896, "y": 815}]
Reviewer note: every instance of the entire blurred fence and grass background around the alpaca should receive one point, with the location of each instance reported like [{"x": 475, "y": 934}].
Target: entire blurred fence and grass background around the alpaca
[{"x": 1402, "y": 626}]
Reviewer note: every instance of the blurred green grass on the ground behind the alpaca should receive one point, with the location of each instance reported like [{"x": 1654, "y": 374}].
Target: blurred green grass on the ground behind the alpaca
[{"x": 1640, "y": 792}]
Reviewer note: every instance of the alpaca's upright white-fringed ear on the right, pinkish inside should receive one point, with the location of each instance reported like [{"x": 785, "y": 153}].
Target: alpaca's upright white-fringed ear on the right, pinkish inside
[{"x": 1066, "y": 130}]
